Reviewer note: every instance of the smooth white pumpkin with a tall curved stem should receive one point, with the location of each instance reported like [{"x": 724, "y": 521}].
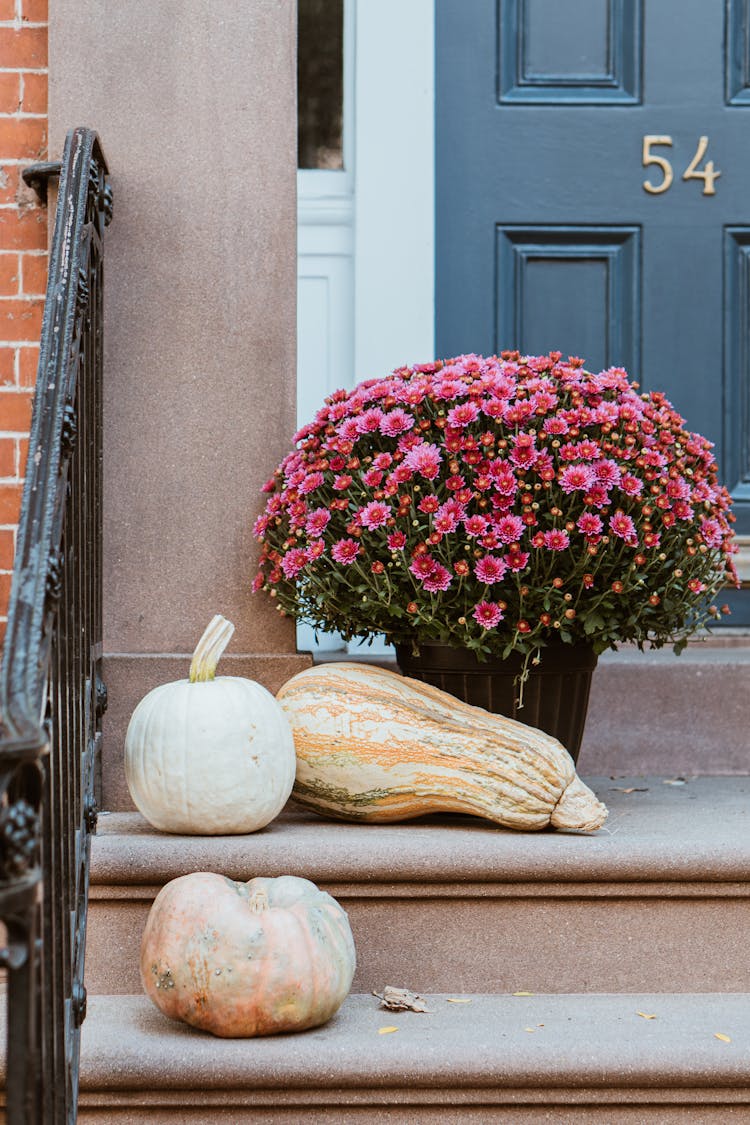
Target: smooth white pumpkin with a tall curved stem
[{"x": 210, "y": 755}]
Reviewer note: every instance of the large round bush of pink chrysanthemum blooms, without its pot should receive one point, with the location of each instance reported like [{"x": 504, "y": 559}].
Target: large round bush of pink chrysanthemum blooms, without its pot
[{"x": 499, "y": 505}]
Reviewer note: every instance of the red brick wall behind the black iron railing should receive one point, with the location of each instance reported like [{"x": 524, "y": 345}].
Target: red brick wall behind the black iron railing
[{"x": 23, "y": 251}]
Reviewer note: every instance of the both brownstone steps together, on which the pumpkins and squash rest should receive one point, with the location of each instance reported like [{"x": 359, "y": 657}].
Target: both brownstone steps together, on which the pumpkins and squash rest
[{"x": 649, "y": 915}]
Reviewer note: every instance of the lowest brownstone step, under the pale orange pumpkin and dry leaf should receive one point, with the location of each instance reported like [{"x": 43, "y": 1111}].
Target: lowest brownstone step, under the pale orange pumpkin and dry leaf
[{"x": 505, "y": 1059}]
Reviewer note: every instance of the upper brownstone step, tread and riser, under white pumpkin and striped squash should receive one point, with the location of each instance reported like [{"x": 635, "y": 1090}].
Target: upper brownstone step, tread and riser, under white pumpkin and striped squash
[{"x": 657, "y": 902}]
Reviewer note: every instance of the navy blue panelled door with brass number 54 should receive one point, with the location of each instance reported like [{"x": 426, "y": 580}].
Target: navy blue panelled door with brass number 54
[{"x": 594, "y": 195}]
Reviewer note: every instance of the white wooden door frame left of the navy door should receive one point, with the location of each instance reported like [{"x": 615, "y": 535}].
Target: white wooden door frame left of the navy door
[{"x": 366, "y": 235}]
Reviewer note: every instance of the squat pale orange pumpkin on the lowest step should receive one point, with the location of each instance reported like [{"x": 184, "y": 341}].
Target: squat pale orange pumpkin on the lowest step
[{"x": 247, "y": 959}]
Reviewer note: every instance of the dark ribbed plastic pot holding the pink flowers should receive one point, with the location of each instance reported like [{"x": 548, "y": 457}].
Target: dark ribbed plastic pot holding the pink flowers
[{"x": 555, "y": 696}]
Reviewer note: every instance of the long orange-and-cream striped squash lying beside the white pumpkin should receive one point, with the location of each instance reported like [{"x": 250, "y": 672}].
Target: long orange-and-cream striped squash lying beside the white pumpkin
[{"x": 374, "y": 746}]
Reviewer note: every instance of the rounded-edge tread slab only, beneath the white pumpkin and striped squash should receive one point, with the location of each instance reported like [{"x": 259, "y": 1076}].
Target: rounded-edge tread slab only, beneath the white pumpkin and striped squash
[{"x": 662, "y": 830}]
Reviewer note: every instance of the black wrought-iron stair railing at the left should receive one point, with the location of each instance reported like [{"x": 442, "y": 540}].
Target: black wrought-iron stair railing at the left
[{"x": 51, "y": 692}]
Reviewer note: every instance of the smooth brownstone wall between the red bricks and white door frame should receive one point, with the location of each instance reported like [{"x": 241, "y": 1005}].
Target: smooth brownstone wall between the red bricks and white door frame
[{"x": 195, "y": 103}]
